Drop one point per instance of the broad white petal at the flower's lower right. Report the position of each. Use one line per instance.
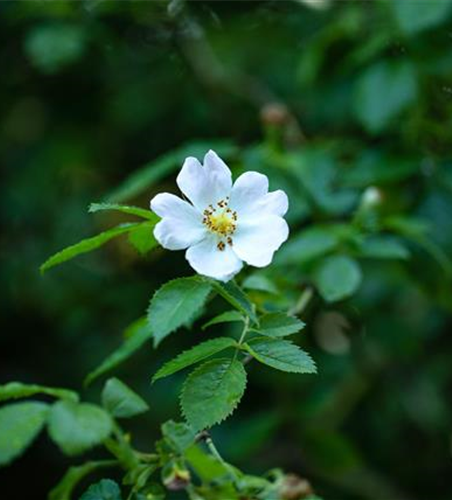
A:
(256, 242)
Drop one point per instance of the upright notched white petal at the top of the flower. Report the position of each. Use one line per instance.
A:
(205, 185)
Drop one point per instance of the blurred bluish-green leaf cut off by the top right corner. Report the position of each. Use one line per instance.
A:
(414, 17)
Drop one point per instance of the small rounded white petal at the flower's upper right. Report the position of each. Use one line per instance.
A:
(247, 189)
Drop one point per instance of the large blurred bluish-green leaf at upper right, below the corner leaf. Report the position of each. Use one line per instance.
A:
(383, 92)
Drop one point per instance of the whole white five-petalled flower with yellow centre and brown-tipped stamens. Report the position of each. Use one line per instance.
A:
(224, 225)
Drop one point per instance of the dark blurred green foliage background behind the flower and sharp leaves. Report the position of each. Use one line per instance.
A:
(345, 104)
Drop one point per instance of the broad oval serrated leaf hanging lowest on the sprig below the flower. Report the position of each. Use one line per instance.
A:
(212, 392)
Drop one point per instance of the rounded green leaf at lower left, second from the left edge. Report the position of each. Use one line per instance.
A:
(76, 428)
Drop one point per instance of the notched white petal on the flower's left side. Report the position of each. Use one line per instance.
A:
(181, 225)
